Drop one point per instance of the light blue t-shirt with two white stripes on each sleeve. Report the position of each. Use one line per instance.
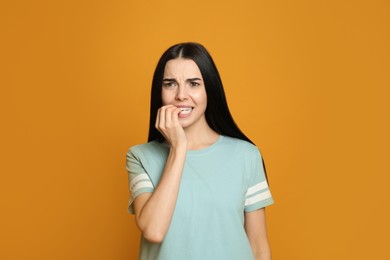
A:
(219, 183)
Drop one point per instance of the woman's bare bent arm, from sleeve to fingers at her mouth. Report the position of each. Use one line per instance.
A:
(154, 211)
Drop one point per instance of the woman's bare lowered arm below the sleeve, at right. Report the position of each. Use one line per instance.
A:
(256, 230)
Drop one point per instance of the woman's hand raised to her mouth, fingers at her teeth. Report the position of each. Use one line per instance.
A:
(167, 123)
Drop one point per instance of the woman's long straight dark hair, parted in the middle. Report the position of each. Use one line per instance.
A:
(217, 112)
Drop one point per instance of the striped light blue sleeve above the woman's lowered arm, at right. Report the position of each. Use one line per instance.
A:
(258, 194)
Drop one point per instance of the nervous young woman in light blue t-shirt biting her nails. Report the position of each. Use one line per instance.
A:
(198, 187)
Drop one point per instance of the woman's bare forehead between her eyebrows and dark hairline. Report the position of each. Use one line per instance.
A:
(180, 67)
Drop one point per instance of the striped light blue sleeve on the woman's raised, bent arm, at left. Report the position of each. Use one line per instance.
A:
(139, 181)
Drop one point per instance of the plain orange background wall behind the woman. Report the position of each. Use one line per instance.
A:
(307, 81)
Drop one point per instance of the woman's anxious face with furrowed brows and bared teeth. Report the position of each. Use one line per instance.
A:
(184, 88)
